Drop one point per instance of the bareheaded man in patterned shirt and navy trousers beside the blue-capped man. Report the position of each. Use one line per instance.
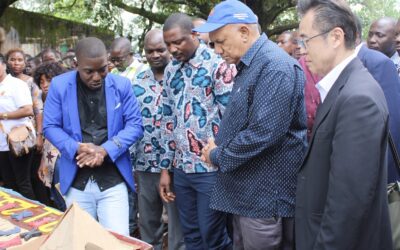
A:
(197, 86)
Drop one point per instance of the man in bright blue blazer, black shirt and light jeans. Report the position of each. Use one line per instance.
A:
(93, 118)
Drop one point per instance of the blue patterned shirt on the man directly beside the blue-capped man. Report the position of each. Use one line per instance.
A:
(194, 99)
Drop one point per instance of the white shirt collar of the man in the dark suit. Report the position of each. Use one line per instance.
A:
(326, 83)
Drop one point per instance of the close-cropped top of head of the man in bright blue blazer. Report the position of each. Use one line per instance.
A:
(90, 47)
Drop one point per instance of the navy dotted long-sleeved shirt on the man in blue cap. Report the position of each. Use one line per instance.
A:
(262, 137)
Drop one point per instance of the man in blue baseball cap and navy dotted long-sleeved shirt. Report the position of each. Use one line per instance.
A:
(262, 135)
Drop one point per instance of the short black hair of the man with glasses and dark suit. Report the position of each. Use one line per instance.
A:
(330, 14)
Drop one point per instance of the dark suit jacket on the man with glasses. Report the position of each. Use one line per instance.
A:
(341, 200)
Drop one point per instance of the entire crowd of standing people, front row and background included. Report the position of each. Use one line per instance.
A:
(219, 136)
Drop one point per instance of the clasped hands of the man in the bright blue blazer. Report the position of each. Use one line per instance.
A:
(90, 155)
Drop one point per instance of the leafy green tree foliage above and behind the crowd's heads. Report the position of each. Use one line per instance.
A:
(275, 16)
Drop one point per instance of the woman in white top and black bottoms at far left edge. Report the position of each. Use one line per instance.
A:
(15, 110)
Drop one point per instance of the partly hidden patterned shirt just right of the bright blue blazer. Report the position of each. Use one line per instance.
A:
(147, 151)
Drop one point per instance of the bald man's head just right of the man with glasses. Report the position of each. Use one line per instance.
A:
(381, 36)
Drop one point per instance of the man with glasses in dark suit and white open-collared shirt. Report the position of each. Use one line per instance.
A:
(341, 187)
